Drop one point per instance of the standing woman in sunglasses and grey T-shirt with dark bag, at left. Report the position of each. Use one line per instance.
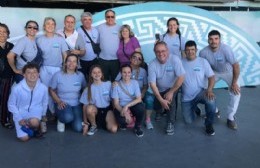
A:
(25, 50)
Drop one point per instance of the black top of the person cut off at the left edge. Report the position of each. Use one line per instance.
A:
(8, 72)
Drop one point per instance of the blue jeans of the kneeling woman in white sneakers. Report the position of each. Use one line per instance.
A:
(70, 114)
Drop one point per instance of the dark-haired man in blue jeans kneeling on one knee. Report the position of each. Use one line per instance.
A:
(197, 87)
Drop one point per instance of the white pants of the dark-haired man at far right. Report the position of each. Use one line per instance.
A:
(233, 98)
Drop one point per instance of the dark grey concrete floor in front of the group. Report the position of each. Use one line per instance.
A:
(188, 147)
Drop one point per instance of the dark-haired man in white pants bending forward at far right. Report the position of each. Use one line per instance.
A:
(226, 67)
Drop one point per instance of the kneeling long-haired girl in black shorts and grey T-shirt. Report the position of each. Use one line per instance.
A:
(97, 107)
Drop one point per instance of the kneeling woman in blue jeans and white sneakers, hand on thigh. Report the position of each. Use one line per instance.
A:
(65, 89)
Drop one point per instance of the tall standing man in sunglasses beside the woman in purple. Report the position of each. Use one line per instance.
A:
(109, 42)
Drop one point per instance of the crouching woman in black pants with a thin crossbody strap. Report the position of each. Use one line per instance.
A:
(127, 97)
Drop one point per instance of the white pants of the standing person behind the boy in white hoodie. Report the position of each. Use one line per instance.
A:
(46, 73)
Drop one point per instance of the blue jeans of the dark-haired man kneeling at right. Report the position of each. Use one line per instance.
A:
(188, 108)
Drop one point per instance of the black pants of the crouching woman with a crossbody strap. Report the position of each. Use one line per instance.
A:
(137, 111)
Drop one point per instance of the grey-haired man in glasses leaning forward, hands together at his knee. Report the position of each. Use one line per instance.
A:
(166, 75)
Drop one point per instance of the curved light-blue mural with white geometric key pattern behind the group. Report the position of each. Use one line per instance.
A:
(150, 18)
